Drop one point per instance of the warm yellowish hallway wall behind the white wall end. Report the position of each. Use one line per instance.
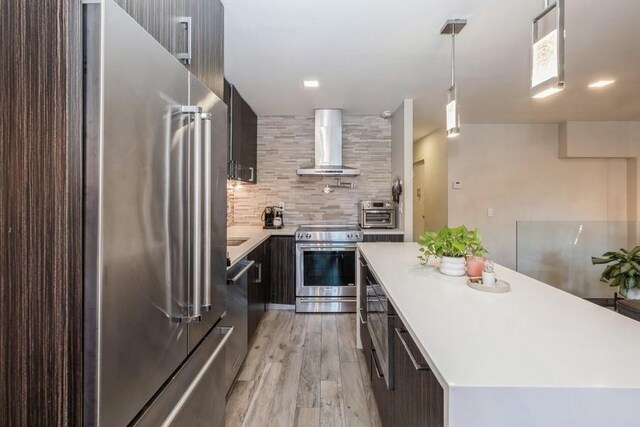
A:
(433, 149)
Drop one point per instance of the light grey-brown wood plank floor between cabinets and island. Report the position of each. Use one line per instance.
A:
(303, 370)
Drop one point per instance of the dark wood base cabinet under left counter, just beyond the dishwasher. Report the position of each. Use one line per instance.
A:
(258, 286)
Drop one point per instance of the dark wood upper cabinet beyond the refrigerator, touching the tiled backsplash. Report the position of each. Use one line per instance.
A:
(243, 138)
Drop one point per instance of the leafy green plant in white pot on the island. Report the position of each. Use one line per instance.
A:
(452, 245)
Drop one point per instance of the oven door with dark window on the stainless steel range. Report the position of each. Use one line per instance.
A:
(325, 270)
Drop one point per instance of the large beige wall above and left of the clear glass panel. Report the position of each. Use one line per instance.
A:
(515, 170)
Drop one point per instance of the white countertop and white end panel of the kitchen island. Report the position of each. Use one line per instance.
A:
(536, 356)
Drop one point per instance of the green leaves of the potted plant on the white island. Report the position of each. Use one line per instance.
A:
(450, 242)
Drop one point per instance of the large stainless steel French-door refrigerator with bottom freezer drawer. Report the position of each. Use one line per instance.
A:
(155, 232)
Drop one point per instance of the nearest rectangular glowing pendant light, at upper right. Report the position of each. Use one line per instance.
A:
(547, 52)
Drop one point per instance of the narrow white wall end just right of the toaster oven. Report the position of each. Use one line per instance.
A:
(402, 163)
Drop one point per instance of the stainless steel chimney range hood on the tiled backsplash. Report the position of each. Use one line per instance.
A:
(328, 146)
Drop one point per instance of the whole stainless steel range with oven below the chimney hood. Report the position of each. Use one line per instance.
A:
(326, 268)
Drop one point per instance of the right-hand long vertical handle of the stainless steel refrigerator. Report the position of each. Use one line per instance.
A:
(207, 141)
